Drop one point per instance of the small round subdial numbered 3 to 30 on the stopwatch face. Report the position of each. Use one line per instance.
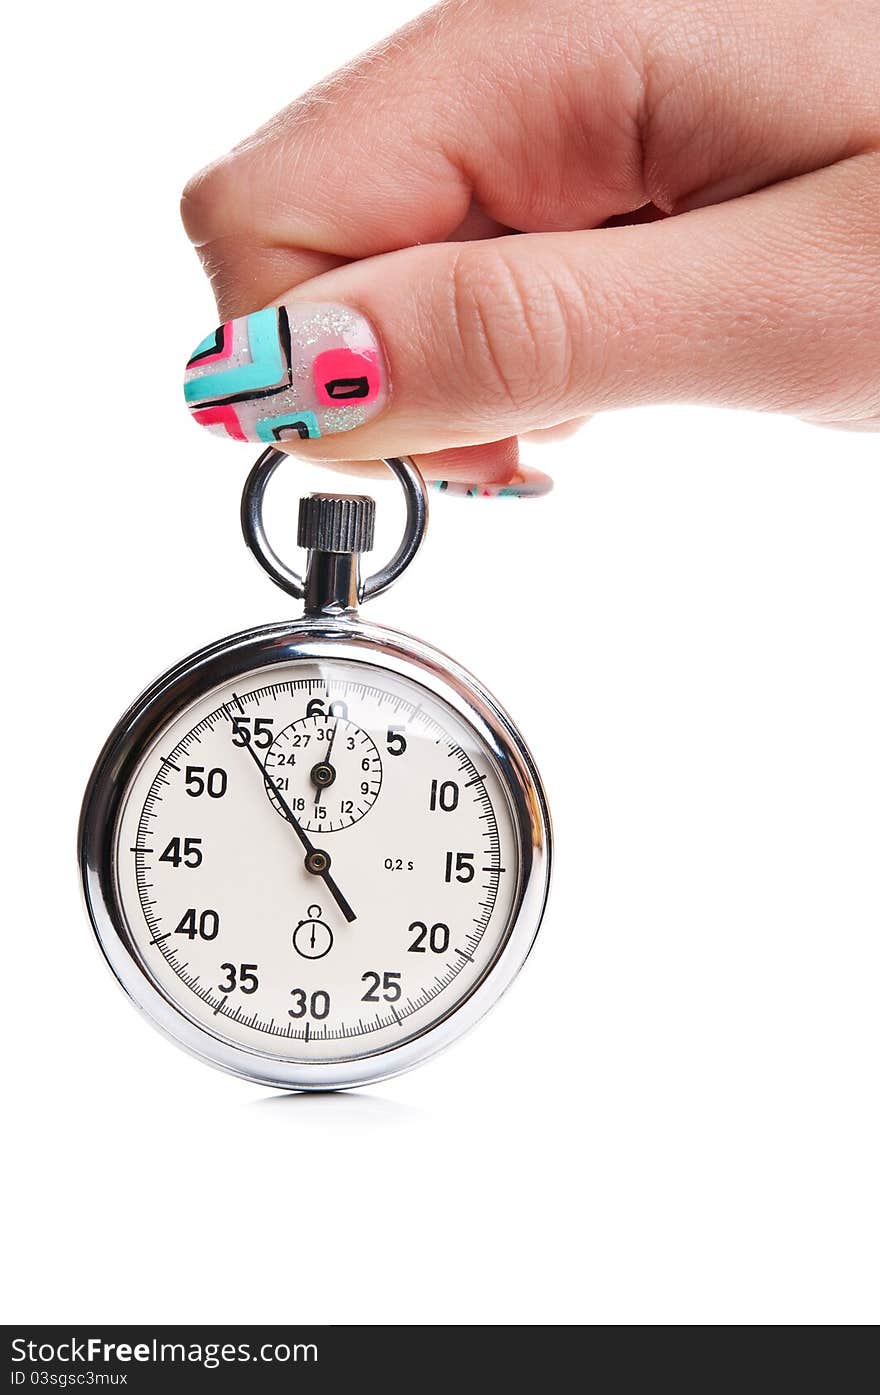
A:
(327, 769)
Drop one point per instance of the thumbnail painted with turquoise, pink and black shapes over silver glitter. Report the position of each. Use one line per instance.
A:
(288, 373)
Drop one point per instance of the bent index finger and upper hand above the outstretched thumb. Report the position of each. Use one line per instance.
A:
(553, 115)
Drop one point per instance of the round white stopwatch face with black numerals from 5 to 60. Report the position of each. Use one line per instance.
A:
(319, 861)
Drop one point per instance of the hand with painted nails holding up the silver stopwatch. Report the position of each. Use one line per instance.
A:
(699, 185)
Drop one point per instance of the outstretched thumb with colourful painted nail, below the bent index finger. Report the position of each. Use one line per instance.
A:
(490, 340)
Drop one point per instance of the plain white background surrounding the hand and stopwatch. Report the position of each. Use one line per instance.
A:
(673, 1117)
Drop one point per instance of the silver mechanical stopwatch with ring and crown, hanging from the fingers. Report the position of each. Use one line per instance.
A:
(316, 853)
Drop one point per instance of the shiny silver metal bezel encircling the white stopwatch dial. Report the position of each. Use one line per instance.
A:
(261, 649)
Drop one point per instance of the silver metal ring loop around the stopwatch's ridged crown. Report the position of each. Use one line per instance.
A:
(405, 471)
